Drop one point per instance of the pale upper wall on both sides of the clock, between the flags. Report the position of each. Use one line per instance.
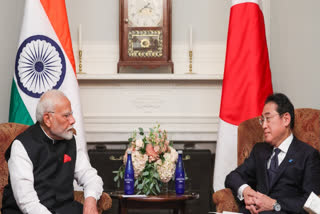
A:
(100, 19)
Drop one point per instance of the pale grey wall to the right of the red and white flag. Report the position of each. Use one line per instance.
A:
(295, 45)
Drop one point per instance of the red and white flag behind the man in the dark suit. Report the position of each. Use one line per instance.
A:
(246, 81)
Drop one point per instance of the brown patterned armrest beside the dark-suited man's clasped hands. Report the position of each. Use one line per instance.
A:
(224, 201)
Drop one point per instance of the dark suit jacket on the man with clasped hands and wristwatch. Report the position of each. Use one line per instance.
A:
(298, 175)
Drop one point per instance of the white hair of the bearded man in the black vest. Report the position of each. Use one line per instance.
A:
(47, 103)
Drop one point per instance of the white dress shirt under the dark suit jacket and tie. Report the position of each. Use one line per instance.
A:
(284, 146)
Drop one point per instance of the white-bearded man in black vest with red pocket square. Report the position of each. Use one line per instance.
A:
(44, 161)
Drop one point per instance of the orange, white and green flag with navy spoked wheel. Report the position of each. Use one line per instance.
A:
(44, 61)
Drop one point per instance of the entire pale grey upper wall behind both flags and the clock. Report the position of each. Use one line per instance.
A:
(294, 30)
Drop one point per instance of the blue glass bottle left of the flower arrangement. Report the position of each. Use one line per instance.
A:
(129, 176)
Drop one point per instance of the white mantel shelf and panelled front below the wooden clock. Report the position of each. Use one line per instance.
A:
(188, 110)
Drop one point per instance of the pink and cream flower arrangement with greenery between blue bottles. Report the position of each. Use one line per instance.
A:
(153, 158)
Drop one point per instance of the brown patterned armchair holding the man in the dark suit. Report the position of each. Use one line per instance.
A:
(307, 129)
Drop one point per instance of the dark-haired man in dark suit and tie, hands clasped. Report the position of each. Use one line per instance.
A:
(280, 173)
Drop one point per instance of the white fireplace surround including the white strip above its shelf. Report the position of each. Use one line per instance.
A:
(186, 105)
